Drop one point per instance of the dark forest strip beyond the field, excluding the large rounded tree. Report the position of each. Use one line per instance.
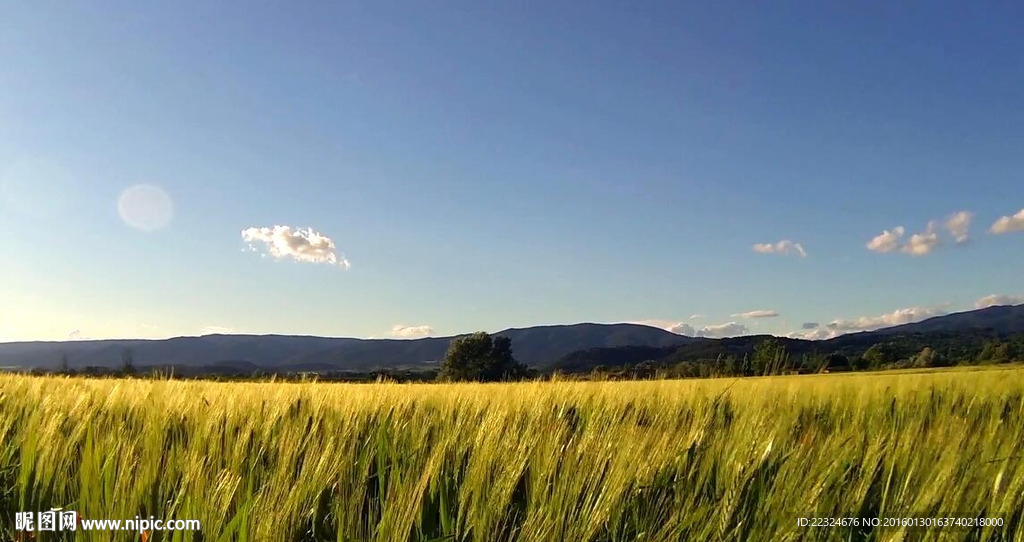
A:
(749, 356)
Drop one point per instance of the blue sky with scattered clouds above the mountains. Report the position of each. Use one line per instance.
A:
(402, 170)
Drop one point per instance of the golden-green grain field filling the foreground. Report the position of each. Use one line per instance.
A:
(569, 462)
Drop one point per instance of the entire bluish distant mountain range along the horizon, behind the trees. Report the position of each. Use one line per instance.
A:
(541, 347)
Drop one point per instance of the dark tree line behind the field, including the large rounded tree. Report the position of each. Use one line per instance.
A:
(486, 358)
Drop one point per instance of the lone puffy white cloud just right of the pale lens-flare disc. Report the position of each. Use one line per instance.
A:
(283, 242)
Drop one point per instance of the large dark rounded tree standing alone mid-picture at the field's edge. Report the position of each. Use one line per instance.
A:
(483, 358)
